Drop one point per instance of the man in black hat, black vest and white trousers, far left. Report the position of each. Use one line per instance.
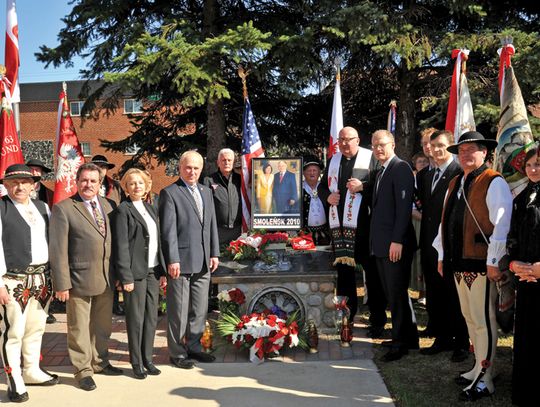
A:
(25, 285)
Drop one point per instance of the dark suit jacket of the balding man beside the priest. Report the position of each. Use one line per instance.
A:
(392, 204)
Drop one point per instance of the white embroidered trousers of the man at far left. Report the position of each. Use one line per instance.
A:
(22, 331)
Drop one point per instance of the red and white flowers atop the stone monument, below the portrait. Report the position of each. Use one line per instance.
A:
(249, 247)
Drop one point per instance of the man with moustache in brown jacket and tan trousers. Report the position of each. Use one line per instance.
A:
(79, 251)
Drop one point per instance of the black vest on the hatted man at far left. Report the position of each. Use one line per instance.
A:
(17, 241)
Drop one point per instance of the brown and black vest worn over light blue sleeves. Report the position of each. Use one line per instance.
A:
(464, 246)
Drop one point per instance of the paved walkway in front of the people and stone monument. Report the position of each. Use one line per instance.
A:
(334, 376)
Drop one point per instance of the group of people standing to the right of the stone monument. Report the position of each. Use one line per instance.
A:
(469, 236)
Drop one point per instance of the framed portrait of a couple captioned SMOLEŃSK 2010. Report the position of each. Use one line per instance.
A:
(276, 199)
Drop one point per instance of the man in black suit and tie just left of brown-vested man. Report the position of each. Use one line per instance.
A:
(446, 321)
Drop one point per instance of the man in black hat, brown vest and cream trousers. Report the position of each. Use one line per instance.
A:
(471, 241)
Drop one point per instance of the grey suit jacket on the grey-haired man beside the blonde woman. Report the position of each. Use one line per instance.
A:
(184, 238)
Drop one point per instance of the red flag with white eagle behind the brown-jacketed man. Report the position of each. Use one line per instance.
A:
(69, 156)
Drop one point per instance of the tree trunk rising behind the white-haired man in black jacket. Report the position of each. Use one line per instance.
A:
(215, 115)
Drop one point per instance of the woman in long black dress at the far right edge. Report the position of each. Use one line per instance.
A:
(523, 247)
